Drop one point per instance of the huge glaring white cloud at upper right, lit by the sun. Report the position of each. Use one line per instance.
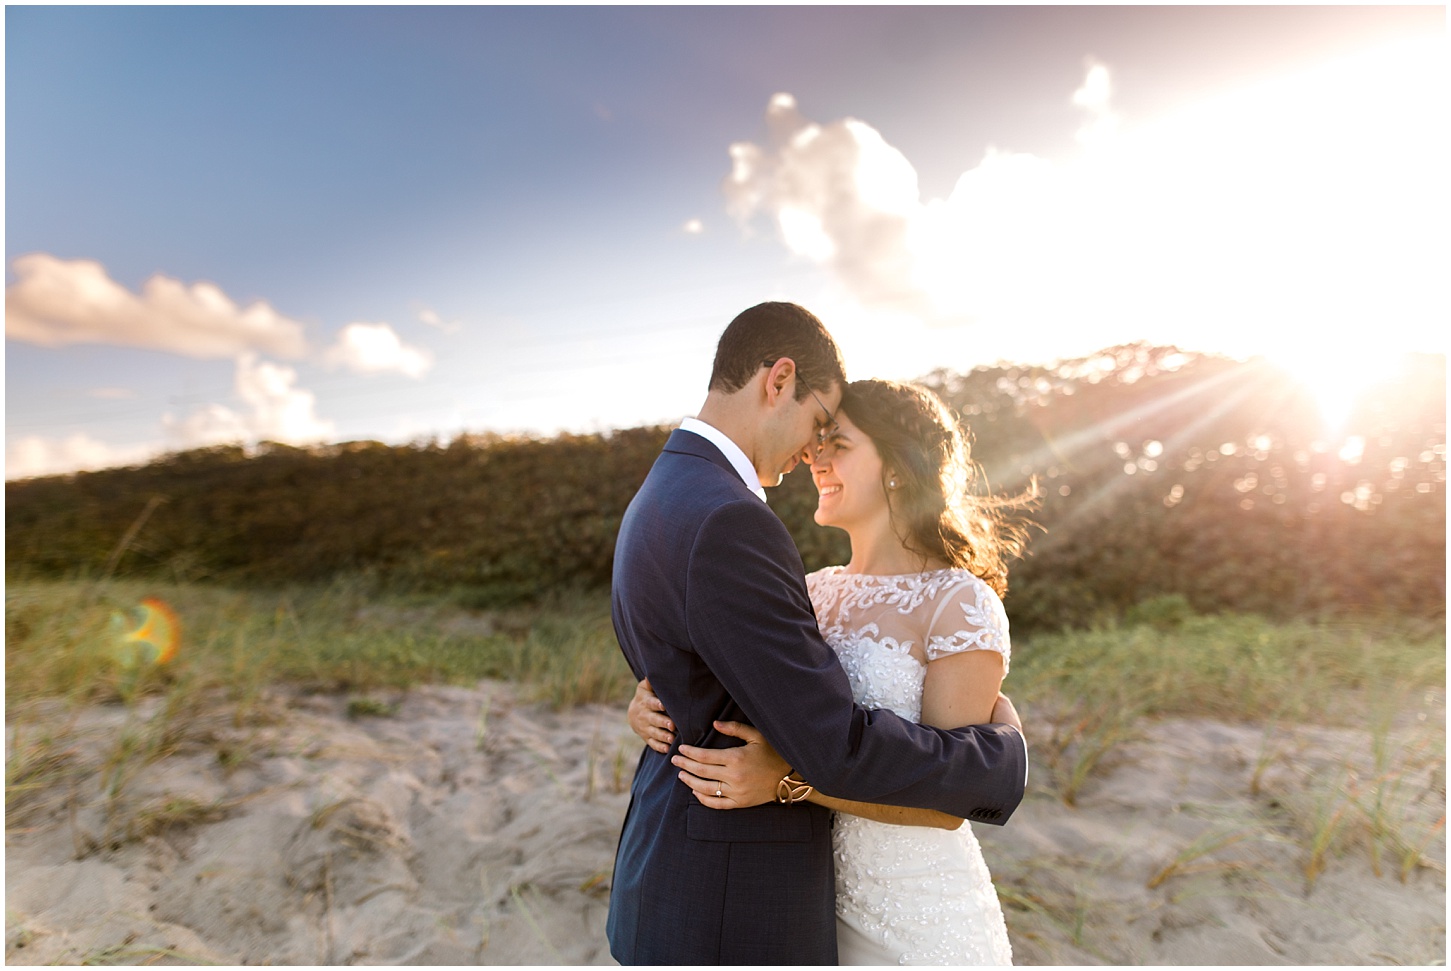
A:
(1233, 224)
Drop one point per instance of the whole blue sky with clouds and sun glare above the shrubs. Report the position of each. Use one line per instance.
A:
(310, 224)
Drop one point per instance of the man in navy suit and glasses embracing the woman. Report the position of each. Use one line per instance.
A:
(712, 606)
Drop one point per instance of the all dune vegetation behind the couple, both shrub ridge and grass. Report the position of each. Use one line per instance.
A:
(1204, 551)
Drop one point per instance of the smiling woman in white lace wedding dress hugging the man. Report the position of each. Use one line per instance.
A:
(918, 623)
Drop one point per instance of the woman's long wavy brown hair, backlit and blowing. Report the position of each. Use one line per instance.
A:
(934, 504)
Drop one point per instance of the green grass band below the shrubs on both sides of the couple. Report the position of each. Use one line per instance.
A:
(1086, 692)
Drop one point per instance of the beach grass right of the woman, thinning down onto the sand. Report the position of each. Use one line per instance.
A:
(1089, 693)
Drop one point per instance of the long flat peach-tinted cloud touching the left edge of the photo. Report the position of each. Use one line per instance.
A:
(57, 303)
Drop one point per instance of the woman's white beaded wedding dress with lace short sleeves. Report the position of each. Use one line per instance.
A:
(909, 895)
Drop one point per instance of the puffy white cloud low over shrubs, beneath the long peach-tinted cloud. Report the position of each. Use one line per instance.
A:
(276, 411)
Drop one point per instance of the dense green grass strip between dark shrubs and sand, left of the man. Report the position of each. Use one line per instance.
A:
(63, 644)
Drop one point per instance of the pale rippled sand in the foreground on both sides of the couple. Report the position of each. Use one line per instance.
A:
(469, 829)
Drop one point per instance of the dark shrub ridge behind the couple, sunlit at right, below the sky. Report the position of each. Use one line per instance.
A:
(1162, 472)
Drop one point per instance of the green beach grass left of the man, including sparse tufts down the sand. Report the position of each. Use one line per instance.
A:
(66, 650)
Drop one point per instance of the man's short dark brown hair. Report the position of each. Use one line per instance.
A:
(765, 335)
